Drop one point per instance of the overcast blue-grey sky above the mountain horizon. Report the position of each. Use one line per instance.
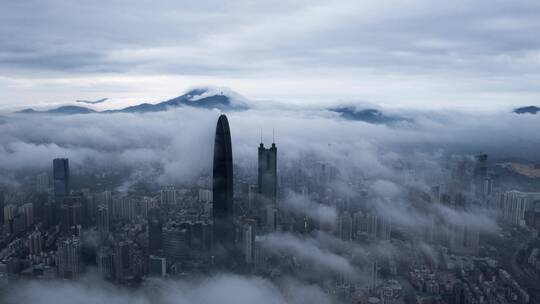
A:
(435, 54)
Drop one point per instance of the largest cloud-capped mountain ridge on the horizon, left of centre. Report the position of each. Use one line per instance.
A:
(198, 98)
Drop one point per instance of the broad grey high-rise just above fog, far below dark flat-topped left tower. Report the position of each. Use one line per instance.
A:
(68, 258)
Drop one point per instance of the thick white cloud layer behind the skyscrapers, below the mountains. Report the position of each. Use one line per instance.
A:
(179, 142)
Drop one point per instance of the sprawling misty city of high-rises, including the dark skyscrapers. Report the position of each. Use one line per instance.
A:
(474, 238)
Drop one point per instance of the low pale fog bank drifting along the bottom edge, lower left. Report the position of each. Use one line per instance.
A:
(220, 288)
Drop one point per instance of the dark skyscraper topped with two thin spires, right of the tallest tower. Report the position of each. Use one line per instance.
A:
(267, 177)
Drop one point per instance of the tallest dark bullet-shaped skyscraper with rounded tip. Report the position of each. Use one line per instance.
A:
(222, 187)
